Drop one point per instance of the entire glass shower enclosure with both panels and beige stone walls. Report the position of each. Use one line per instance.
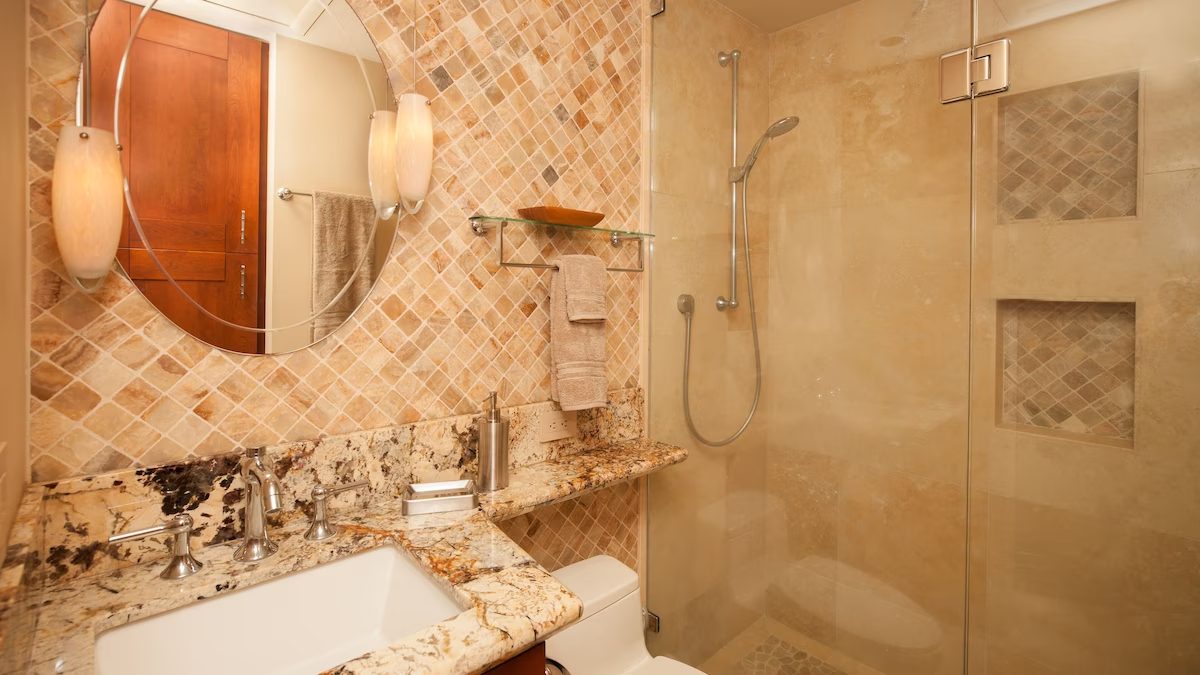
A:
(977, 447)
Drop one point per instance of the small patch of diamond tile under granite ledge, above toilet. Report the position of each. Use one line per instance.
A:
(603, 523)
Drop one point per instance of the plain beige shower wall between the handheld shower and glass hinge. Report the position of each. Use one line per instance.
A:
(868, 361)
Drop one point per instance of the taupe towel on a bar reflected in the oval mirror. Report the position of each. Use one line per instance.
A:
(341, 236)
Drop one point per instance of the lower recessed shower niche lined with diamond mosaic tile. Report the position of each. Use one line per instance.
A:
(1067, 369)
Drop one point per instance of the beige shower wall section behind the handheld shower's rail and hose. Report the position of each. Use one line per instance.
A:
(707, 534)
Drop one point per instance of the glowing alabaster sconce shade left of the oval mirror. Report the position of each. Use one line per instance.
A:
(88, 204)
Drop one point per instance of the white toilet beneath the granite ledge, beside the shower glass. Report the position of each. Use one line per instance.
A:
(609, 638)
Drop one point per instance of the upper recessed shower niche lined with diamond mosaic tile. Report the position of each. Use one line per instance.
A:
(1071, 152)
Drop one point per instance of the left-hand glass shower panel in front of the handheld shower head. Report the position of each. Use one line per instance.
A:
(832, 536)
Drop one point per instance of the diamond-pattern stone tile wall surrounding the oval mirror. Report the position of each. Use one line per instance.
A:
(536, 103)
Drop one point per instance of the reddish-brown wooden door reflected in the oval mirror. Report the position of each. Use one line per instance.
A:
(193, 129)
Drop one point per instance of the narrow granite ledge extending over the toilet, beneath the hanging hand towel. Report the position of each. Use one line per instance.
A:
(568, 477)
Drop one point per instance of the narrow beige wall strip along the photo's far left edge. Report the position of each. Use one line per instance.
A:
(14, 262)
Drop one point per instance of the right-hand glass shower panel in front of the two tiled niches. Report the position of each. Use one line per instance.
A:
(1085, 445)
